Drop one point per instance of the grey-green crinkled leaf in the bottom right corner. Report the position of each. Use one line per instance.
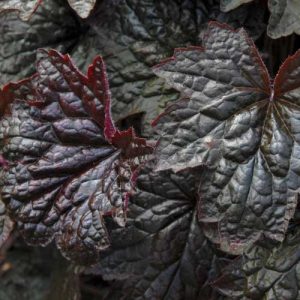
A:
(265, 271)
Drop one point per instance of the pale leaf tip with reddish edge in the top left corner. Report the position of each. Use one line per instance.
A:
(25, 8)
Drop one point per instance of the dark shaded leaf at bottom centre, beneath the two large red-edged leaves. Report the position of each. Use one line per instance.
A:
(162, 253)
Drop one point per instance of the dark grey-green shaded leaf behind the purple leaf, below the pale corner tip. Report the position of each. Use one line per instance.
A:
(52, 25)
